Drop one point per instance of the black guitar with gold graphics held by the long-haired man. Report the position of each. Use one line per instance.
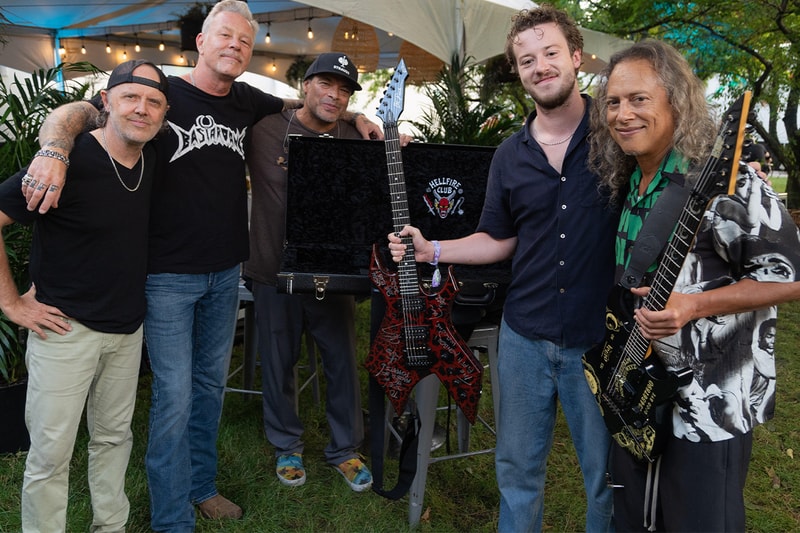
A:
(630, 384)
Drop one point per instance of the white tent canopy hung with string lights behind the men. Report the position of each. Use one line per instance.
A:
(473, 28)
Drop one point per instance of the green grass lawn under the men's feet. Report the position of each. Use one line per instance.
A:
(461, 494)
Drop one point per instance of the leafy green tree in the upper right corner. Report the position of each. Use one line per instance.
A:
(747, 44)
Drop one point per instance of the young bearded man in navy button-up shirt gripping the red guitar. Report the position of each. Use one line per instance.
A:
(544, 210)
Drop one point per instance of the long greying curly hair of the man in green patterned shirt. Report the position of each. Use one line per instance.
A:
(694, 128)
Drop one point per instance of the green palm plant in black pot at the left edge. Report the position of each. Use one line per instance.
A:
(24, 104)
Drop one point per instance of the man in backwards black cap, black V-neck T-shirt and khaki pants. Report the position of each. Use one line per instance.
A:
(85, 309)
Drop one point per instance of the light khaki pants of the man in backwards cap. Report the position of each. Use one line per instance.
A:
(100, 370)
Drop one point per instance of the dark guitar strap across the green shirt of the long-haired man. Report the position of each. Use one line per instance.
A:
(656, 230)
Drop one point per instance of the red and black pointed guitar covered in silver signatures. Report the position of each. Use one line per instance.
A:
(416, 336)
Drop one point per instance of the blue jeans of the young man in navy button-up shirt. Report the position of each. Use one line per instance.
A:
(534, 374)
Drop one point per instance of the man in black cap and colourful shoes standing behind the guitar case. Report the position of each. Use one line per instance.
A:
(328, 85)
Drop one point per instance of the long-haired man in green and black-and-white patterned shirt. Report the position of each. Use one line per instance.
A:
(651, 126)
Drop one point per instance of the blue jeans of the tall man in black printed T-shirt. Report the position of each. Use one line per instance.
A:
(189, 333)
